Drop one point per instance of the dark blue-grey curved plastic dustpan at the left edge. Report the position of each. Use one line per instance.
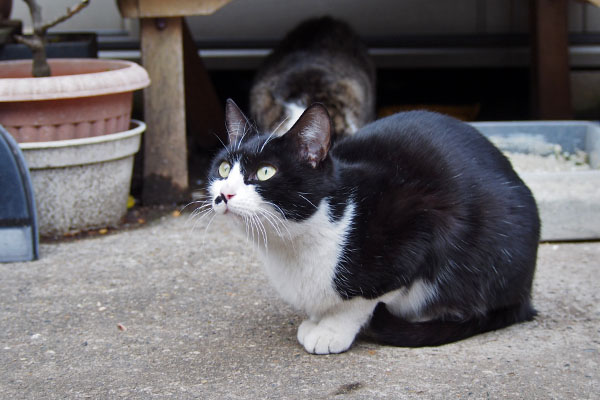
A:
(18, 221)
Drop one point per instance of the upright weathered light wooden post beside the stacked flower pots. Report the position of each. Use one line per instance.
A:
(165, 154)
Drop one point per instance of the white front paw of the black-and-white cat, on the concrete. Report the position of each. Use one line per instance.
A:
(323, 338)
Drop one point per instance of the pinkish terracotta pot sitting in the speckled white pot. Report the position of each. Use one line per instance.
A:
(82, 98)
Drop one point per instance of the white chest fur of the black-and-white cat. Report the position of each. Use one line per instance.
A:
(302, 265)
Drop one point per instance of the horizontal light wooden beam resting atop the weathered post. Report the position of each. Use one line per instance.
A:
(168, 8)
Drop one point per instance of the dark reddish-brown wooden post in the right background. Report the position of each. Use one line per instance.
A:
(550, 83)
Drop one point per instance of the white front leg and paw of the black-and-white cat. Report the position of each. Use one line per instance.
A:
(335, 331)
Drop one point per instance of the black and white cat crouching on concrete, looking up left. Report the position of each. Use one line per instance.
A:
(416, 229)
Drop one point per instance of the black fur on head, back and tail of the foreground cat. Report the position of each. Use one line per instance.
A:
(434, 200)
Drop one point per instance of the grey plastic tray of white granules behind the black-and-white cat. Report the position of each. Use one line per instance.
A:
(568, 201)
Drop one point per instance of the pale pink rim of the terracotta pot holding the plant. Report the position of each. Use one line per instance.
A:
(119, 76)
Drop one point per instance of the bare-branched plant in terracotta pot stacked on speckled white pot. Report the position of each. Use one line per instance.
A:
(57, 117)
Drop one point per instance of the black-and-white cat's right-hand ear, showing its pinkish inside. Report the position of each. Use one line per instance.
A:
(312, 134)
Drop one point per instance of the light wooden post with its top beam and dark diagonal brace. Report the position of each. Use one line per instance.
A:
(163, 55)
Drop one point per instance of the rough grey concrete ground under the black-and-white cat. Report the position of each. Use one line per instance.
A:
(176, 311)
